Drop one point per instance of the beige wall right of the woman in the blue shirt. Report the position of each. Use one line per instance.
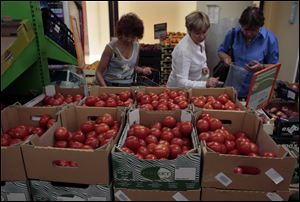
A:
(277, 20)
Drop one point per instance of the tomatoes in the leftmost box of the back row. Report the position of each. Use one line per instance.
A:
(59, 99)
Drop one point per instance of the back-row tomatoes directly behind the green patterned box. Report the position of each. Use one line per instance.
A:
(167, 100)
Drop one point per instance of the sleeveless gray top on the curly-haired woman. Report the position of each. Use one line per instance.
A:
(120, 69)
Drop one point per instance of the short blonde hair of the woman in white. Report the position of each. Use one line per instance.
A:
(197, 21)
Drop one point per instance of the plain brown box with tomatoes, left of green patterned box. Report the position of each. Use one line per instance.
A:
(77, 150)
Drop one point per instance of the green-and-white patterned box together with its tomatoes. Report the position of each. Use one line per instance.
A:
(157, 150)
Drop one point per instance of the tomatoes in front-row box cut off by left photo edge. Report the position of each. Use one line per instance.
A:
(21, 132)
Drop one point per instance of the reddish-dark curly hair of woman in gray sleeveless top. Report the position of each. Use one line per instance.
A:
(130, 25)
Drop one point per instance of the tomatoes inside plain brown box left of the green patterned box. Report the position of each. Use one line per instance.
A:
(91, 135)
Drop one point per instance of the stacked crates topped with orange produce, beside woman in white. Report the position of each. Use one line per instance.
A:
(167, 46)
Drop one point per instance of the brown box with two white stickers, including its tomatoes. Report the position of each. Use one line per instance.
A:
(238, 154)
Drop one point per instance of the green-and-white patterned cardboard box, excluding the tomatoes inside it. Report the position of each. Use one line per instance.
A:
(181, 173)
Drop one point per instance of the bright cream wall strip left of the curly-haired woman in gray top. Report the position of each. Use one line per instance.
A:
(98, 29)
